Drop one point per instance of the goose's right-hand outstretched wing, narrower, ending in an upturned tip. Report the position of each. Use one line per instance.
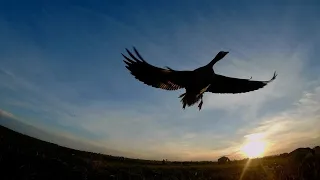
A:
(223, 84)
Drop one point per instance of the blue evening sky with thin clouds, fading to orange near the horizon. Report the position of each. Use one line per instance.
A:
(62, 73)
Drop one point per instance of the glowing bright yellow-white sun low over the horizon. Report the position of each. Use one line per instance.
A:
(254, 149)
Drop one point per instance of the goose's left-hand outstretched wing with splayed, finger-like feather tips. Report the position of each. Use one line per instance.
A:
(167, 79)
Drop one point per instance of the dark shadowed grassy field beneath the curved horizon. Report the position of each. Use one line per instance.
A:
(23, 157)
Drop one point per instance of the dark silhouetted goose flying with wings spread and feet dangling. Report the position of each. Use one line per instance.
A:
(195, 82)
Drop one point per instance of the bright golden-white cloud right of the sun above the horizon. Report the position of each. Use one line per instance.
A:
(294, 127)
